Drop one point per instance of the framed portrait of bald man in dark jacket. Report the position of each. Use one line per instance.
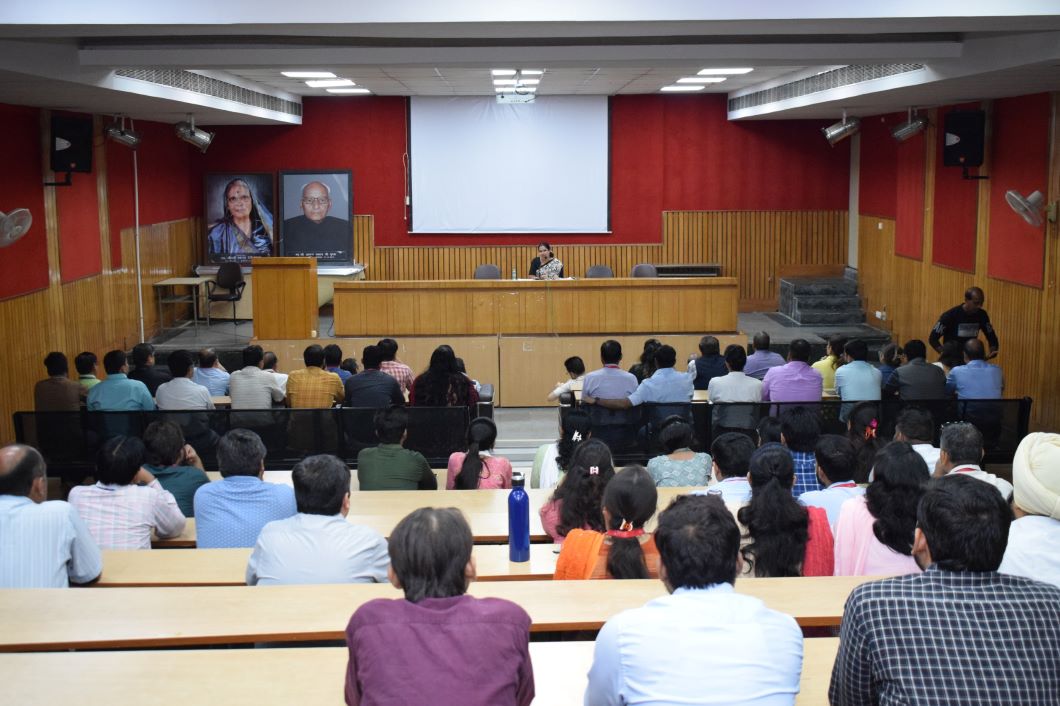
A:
(317, 209)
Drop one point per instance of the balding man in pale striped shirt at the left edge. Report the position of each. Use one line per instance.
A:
(44, 544)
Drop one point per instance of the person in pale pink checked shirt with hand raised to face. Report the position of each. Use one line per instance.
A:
(127, 503)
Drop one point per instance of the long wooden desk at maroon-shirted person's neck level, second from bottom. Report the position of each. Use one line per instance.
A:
(130, 619)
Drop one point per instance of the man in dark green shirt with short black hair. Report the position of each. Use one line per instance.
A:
(391, 466)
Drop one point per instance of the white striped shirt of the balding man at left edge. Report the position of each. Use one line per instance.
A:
(45, 545)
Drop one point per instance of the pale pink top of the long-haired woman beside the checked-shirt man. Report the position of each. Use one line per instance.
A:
(858, 553)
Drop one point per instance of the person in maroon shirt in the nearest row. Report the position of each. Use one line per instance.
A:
(437, 646)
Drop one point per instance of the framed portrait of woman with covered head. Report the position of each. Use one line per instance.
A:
(239, 213)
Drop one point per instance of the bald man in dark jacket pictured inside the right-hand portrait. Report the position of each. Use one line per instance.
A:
(315, 234)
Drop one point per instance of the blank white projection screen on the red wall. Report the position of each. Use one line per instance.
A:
(480, 167)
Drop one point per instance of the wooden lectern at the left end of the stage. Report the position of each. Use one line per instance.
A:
(286, 298)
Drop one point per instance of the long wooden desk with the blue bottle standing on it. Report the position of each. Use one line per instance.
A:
(227, 568)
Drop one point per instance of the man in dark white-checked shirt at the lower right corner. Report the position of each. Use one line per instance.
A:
(960, 633)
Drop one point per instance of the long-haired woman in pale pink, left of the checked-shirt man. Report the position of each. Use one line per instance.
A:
(874, 536)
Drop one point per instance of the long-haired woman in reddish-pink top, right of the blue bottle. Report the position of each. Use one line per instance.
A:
(577, 502)
